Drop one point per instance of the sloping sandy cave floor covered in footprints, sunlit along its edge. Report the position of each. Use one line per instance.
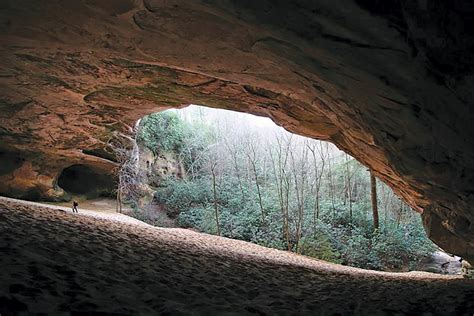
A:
(54, 261)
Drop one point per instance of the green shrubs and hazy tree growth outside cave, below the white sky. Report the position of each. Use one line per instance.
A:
(337, 235)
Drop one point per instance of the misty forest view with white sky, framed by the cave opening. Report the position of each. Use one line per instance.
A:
(245, 178)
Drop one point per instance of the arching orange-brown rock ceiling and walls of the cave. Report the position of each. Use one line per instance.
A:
(390, 82)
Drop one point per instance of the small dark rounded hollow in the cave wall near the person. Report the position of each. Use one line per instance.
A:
(86, 181)
